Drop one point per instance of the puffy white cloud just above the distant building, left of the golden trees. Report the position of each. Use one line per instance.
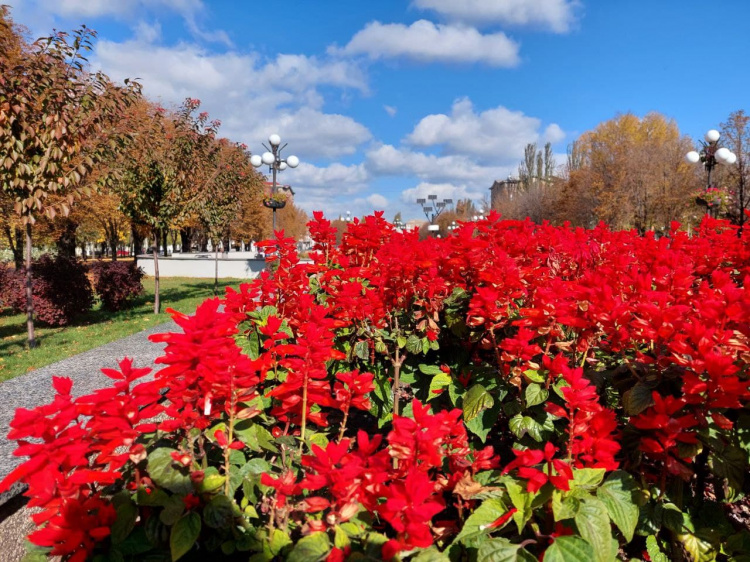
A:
(497, 135)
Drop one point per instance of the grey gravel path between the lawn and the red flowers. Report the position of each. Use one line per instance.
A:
(35, 388)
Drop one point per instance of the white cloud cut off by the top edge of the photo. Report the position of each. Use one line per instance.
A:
(556, 15)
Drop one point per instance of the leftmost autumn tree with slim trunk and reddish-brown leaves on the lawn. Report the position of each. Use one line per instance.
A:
(56, 123)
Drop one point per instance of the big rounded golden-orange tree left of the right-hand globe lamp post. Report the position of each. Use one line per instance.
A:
(629, 172)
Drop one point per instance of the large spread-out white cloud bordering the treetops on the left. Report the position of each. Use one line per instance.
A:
(253, 97)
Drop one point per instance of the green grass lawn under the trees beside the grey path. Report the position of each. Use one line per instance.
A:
(98, 326)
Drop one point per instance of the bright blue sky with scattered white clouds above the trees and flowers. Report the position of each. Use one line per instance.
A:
(385, 101)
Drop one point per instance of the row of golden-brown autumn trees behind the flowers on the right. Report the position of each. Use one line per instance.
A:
(631, 173)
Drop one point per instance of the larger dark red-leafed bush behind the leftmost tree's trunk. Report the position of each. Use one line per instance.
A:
(60, 287)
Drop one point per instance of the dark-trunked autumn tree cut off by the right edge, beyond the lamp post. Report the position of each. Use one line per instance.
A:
(736, 137)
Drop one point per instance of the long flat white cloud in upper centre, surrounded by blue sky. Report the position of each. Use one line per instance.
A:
(425, 41)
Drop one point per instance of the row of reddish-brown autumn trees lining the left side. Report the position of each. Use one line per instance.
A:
(81, 156)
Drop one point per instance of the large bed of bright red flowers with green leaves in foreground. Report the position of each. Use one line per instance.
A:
(511, 392)
